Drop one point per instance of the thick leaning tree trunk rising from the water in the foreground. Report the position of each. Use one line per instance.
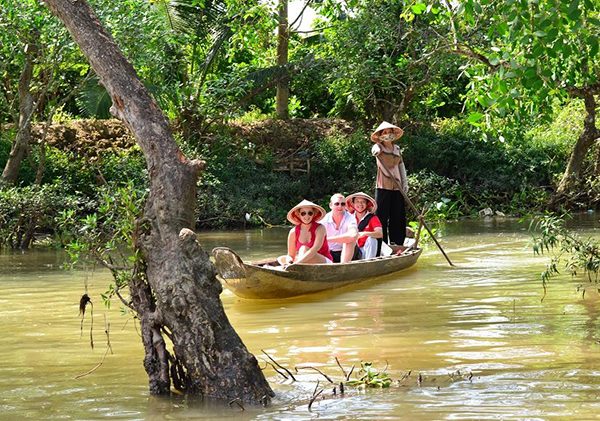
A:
(176, 293)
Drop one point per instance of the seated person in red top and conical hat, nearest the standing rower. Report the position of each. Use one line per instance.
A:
(370, 231)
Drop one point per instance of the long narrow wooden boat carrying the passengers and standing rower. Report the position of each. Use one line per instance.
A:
(265, 279)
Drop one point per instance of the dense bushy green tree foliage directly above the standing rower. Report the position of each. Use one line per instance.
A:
(382, 63)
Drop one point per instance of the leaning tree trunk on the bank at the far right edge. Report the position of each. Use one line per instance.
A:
(582, 147)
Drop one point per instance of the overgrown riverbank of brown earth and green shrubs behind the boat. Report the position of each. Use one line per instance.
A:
(256, 171)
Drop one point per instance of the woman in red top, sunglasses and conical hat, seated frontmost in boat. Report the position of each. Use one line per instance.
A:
(307, 241)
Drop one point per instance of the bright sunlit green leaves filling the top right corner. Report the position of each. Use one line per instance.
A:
(525, 55)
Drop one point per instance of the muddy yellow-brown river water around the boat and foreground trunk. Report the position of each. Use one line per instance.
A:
(478, 335)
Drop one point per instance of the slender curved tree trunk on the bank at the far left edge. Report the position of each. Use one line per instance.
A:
(23, 137)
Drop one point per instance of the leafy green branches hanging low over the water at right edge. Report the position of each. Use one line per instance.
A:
(575, 253)
